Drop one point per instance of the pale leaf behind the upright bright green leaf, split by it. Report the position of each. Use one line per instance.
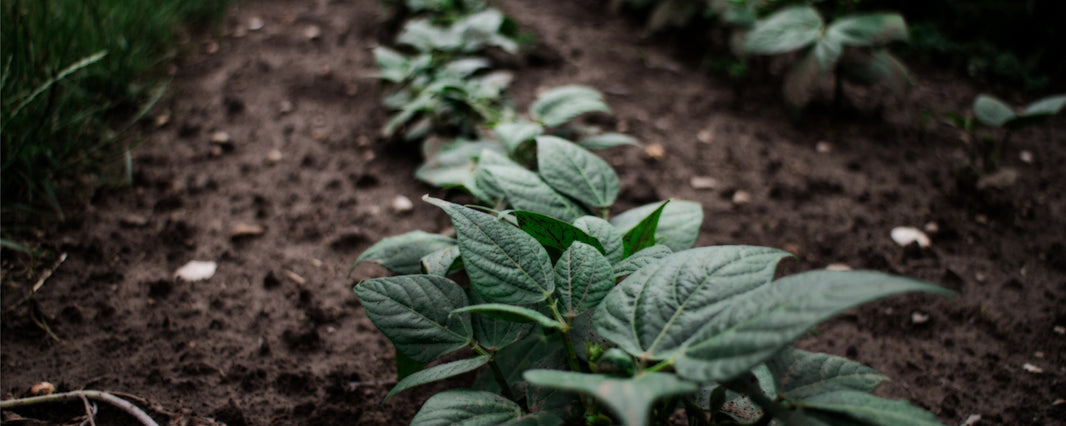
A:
(679, 224)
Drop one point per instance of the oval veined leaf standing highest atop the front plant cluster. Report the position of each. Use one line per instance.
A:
(576, 172)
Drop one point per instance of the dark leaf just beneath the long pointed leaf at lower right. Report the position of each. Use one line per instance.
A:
(800, 374)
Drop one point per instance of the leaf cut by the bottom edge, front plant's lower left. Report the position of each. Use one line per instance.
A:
(465, 407)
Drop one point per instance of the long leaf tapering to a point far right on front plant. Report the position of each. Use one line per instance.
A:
(762, 322)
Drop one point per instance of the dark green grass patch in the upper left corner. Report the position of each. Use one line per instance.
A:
(75, 76)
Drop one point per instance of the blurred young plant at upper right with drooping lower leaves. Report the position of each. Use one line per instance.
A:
(852, 48)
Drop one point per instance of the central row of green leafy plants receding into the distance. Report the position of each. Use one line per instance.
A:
(569, 315)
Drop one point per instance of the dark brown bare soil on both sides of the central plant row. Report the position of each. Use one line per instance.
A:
(277, 336)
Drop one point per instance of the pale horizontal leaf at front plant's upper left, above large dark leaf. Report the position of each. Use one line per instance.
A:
(403, 254)
